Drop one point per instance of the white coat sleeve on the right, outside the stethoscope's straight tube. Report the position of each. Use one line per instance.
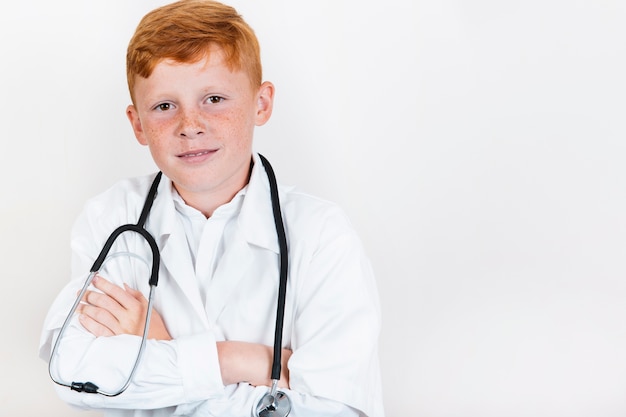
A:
(337, 323)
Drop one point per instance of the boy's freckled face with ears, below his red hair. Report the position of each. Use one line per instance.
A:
(198, 121)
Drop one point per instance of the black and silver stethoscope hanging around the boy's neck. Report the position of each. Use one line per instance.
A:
(274, 402)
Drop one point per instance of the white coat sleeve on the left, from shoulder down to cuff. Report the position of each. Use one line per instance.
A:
(181, 371)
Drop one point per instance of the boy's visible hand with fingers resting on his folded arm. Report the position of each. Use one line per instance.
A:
(117, 311)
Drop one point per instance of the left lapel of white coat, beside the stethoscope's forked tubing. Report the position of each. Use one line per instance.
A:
(175, 256)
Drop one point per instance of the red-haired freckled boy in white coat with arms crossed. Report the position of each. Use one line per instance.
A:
(195, 81)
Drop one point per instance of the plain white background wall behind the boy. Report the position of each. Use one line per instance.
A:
(478, 147)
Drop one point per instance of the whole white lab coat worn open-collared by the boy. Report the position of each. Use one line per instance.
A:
(332, 316)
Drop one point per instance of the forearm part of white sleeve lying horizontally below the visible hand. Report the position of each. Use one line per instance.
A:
(171, 373)
